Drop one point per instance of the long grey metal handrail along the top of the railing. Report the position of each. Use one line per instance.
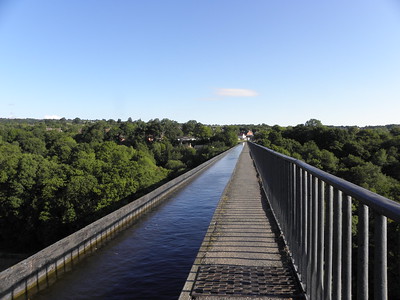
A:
(378, 203)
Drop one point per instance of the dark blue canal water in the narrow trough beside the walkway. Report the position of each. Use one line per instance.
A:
(152, 258)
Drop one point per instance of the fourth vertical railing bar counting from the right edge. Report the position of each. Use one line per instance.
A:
(337, 246)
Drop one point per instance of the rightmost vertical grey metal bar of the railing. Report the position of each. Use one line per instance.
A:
(380, 258)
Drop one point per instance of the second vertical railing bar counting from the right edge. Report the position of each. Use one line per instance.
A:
(363, 252)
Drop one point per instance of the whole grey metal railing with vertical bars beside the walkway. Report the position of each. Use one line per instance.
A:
(315, 211)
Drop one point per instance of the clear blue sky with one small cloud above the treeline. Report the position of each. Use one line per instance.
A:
(215, 61)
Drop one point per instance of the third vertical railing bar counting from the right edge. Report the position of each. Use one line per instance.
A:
(347, 251)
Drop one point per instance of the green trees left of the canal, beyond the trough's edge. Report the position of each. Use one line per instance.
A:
(58, 176)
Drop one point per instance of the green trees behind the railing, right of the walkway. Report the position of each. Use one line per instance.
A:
(368, 157)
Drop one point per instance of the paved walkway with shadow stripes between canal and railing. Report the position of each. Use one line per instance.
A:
(242, 256)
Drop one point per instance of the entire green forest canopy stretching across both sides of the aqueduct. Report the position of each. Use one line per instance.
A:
(57, 176)
